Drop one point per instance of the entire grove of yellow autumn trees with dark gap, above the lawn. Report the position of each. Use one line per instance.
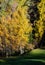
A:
(22, 25)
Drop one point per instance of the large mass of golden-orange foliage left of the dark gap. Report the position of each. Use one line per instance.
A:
(14, 26)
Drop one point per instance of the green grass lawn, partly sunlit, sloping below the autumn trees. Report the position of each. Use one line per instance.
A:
(35, 57)
